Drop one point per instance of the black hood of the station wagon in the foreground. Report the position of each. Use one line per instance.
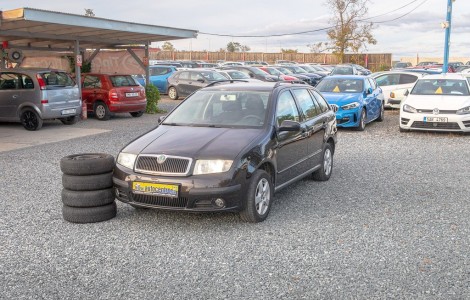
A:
(194, 142)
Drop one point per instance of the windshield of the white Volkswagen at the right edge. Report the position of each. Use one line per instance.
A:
(454, 87)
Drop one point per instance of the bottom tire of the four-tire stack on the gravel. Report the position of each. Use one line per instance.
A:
(89, 214)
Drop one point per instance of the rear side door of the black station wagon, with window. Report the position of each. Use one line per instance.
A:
(314, 124)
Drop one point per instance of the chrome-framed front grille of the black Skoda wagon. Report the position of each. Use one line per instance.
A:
(172, 165)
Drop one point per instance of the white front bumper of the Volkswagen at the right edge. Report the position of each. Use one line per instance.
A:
(415, 121)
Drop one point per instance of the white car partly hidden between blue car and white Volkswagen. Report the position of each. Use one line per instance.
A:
(395, 80)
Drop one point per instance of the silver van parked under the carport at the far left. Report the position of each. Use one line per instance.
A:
(31, 95)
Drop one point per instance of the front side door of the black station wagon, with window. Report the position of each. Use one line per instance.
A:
(292, 146)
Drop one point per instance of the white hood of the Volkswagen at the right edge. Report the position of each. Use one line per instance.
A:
(442, 102)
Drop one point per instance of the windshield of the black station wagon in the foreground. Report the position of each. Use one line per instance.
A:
(221, 109)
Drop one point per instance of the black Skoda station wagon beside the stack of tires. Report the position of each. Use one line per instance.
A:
(229, 147)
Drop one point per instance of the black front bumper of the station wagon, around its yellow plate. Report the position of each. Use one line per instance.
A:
(196, 193)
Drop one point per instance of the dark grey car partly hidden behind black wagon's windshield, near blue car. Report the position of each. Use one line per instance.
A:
(182, 83)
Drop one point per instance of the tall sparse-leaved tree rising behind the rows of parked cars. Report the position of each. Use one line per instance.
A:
(349, 32)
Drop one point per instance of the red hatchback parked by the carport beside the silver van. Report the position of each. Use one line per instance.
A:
(113, 93)
